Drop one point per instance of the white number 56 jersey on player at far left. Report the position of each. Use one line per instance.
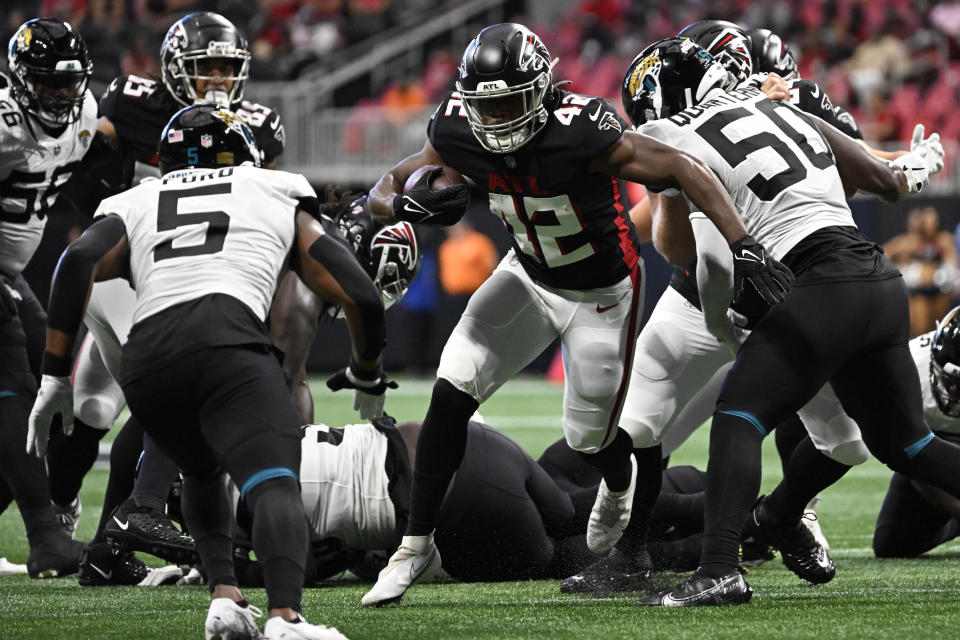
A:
(33, 168)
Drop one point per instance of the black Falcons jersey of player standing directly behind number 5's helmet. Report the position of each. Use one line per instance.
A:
(140, 108)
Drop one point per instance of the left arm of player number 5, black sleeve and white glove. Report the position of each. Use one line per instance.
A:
(101, 253)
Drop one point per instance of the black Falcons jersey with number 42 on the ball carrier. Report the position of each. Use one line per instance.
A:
(568, 226)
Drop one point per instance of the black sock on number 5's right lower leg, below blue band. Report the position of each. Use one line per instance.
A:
(280, 539)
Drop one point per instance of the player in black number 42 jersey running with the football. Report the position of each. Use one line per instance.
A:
(552, 163)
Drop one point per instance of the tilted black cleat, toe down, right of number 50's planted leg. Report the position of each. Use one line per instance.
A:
(800, 551)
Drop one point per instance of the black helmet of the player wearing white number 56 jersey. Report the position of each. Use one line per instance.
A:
(49, 70)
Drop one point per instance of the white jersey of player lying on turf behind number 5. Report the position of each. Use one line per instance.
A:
(344, 485)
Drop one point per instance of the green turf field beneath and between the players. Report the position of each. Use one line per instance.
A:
(868, 599)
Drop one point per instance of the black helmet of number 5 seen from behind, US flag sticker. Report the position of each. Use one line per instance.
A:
(205, 135)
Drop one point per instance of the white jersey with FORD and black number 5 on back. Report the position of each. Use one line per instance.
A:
(198, 232)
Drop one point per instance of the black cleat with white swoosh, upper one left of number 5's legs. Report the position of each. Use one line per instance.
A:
(151, 531)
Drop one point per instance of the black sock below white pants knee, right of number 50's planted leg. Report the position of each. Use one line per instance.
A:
(808, 472)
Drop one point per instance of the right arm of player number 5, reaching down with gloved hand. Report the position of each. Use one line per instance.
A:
(331, 270)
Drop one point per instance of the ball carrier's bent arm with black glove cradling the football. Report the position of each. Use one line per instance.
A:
(420, 204)
